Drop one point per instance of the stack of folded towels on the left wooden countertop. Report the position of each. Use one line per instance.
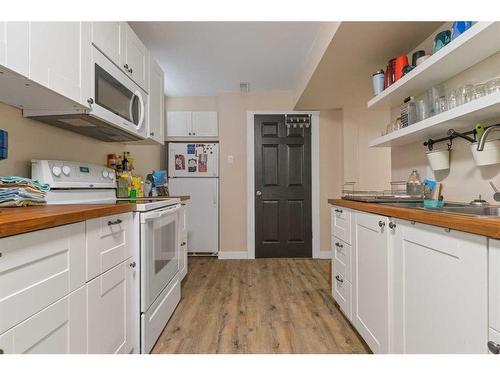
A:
(19, 191)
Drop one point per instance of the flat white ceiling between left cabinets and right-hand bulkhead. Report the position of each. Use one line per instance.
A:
(205, 58)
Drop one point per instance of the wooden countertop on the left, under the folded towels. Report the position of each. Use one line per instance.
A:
(17, 220)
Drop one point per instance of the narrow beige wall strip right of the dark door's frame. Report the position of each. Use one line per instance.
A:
(331, 168)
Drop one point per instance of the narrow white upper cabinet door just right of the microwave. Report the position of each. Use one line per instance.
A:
(156, 102)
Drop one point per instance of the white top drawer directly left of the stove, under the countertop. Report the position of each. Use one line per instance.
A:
(109, 242)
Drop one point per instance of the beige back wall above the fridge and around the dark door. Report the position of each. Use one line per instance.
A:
(232, 108)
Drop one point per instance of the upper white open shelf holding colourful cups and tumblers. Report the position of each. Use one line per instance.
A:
(476, 44)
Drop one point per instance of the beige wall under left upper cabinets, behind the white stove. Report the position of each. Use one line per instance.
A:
(30, 139)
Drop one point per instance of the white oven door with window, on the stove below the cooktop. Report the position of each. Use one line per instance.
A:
(160, 250)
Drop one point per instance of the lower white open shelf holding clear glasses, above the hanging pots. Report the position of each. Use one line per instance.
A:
(463, 117)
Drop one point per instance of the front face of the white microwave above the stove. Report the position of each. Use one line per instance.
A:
(117, 99)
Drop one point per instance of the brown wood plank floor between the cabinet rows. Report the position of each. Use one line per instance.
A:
(258, 306)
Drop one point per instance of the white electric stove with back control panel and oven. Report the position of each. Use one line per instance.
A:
(157, 221)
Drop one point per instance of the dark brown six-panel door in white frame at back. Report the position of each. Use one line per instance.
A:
(282, 188)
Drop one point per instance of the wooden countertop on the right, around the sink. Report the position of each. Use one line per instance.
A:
(485, 226)
